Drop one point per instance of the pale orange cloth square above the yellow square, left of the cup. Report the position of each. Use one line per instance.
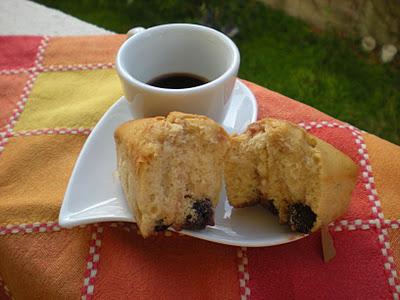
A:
(82, 49)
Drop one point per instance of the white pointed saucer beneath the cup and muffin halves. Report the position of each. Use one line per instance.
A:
(94, 193)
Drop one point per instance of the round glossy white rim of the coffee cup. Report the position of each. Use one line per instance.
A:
(231, 70)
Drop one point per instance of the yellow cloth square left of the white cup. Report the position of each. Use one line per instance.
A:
(70, 99)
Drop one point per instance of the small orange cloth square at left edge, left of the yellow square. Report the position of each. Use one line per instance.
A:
(11, 87)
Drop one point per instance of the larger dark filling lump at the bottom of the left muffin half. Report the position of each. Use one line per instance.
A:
(201, 215)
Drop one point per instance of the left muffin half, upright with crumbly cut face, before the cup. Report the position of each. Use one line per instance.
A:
(171, 170)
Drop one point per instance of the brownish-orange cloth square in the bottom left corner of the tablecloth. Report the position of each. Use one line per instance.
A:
(45, 265)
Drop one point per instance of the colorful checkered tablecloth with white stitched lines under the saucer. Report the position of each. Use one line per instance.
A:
(53, 90)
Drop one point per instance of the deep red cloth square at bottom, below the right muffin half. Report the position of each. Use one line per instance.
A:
(297, 271)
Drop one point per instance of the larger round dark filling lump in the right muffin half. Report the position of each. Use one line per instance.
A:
(301, 218)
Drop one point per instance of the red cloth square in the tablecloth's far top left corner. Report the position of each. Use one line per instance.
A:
(18, 51)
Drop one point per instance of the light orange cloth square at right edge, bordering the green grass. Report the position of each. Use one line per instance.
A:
(385, 162)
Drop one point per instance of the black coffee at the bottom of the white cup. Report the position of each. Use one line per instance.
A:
(177, 81)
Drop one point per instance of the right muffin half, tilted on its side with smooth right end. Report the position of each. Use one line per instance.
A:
(303, 179)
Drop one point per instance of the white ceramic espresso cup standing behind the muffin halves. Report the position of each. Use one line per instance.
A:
(175, 49)
